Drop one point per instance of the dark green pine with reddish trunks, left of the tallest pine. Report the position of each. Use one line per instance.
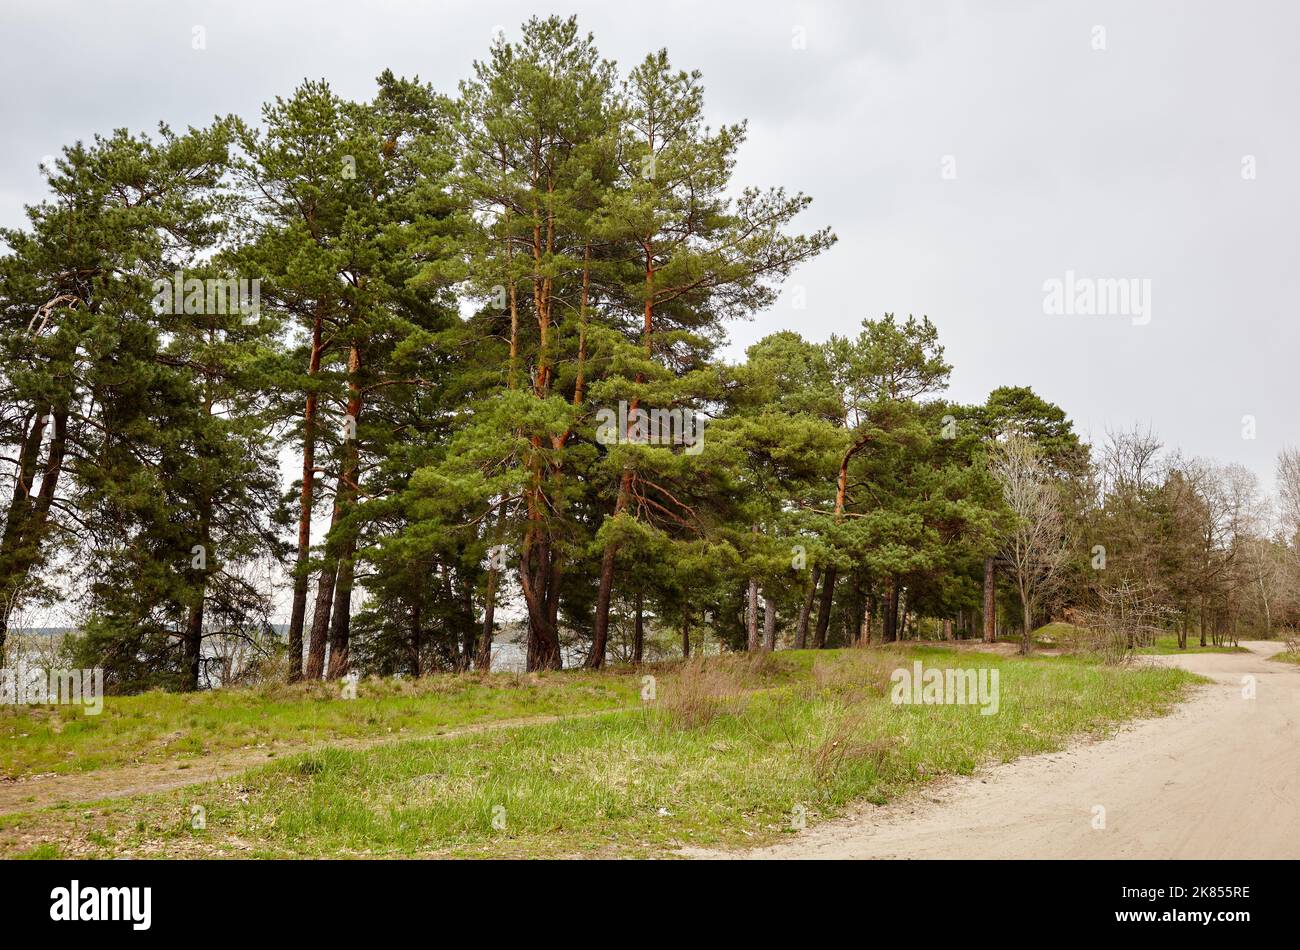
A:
(357, 235)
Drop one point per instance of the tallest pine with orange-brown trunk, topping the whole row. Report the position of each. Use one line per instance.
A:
(538, 120)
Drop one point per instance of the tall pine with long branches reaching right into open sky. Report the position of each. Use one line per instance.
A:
(695, 259)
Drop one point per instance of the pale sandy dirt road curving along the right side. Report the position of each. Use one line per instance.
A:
(1219, 778)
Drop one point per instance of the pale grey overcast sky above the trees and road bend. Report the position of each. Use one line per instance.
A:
(965, 154)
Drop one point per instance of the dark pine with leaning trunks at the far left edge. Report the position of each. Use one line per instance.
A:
(80, 331)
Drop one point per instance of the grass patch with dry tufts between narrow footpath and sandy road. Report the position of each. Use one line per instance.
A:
(729, 753)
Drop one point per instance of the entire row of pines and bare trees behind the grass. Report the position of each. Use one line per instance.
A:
(486, 331)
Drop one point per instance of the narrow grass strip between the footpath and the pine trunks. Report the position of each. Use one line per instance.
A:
(168, 727)
